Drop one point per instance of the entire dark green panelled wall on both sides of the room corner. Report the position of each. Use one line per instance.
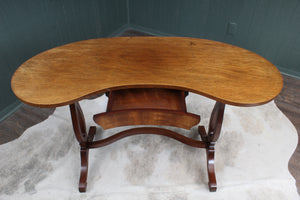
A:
(270, 28)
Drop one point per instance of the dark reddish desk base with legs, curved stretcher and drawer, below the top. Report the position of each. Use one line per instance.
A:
(147, 107)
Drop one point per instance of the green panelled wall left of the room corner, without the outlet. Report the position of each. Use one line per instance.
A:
(28, 27)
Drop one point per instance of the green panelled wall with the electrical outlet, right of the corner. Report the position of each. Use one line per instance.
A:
(270, 28)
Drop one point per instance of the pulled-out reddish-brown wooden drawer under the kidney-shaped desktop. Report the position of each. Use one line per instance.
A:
(146, 107)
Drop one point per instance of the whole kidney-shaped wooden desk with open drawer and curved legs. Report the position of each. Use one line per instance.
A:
(146, 80)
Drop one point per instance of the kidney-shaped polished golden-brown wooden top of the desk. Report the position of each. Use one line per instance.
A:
(223, 72)
